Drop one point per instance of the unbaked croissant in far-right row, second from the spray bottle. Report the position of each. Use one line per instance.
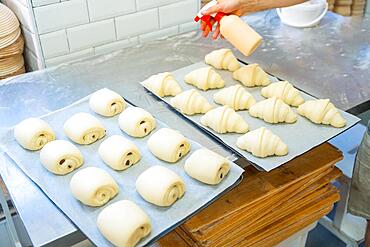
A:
(251, 75)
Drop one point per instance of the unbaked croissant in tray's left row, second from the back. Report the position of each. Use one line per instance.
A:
(191, 102)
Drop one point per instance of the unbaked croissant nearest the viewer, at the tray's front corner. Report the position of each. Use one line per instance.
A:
(262, 143)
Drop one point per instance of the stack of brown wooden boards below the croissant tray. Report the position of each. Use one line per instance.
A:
(266, 208)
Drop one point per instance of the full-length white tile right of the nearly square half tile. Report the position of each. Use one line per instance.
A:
(90, 35)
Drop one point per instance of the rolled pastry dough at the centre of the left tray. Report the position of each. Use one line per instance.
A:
(119, 152)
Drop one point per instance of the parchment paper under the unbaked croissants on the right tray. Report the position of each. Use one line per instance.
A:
(300, 136)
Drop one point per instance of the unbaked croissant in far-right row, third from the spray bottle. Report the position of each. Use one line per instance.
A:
(284, 91)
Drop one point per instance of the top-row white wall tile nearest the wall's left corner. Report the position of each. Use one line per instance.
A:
(54, 17)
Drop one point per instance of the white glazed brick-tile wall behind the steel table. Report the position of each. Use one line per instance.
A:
(58, 31)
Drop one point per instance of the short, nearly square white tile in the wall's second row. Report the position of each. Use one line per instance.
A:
(54, 44)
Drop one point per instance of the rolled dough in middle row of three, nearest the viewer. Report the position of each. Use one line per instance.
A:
(160, 186)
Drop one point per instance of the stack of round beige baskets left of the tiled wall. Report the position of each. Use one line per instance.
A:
(11, 44)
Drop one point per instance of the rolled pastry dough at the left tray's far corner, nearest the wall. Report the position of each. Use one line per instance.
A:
(107, 102)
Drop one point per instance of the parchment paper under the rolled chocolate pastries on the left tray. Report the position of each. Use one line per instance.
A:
(163, 219)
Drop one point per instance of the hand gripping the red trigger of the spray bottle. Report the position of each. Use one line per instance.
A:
(232, 7)
